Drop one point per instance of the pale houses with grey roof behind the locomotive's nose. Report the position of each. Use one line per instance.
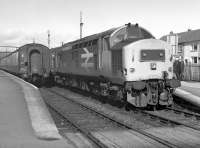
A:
(185, 45)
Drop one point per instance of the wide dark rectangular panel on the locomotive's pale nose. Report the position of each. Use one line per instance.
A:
(152, 55)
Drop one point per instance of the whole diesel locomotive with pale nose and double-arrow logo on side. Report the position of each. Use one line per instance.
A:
(125, 63)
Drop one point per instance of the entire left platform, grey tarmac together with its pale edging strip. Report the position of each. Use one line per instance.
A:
(24, 123)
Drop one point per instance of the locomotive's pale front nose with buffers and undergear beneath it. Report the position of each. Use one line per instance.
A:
(147, 69)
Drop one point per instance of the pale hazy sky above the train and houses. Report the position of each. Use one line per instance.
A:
(27, 21)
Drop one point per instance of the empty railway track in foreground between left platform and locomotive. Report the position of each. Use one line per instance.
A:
(87, 120)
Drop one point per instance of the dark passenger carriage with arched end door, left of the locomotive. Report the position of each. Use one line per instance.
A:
(31, 62)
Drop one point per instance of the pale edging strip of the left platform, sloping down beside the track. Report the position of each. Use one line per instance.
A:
(41, 121)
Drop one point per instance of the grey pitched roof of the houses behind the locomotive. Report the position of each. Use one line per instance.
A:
(188, 36)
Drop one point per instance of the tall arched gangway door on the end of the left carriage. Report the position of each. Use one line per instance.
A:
(35, 62)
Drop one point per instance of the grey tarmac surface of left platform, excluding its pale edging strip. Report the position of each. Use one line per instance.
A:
(15, 124)
